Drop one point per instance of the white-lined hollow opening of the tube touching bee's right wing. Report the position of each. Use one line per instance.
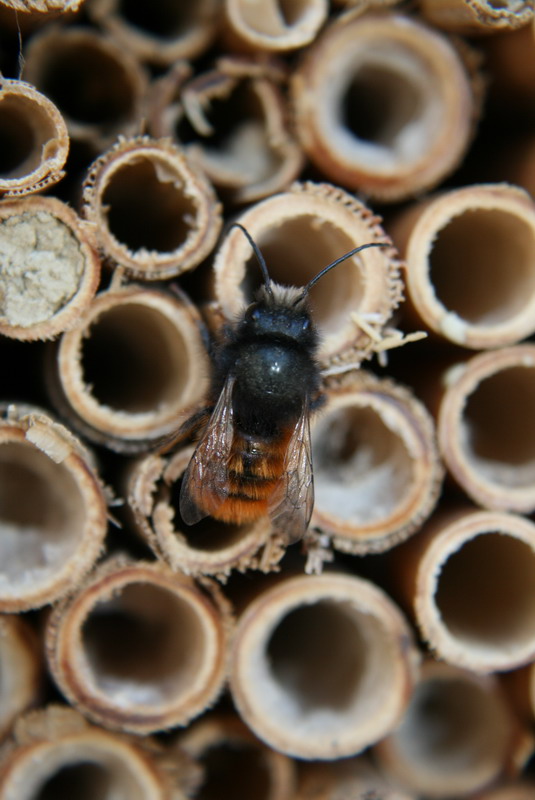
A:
(362, 468)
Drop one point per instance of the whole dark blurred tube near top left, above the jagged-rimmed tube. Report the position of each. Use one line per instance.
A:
(96, 84)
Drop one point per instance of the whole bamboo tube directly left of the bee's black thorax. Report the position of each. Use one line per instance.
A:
(133, 369)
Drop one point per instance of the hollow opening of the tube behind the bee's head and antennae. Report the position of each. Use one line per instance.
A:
(295, 251)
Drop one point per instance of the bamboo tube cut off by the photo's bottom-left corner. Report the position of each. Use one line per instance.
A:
(56, 753)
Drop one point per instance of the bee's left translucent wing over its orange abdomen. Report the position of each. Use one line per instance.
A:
(204, 485)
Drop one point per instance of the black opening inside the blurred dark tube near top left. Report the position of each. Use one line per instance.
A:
(87, 83)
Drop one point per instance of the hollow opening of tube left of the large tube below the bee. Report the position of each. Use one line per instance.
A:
(145, 645)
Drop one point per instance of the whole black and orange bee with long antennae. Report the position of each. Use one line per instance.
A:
(254, 454)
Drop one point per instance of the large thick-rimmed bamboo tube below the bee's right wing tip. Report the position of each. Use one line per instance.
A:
(321, 666)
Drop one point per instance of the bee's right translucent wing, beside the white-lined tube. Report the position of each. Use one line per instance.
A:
(292, 503)
